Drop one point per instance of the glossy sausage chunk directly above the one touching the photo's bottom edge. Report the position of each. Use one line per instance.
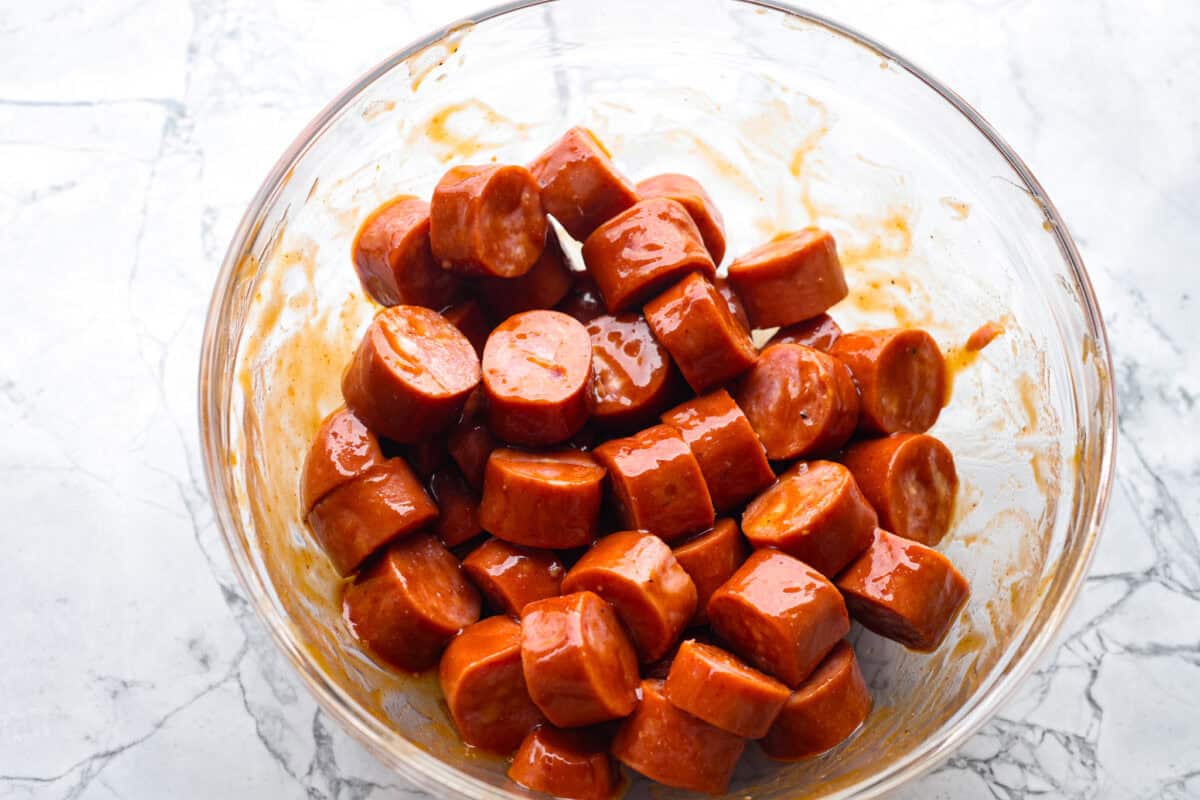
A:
(579, 664)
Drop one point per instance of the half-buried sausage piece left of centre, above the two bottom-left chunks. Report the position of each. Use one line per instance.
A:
(512, 576)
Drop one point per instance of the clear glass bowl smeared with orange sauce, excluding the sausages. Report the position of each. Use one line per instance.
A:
(789, 121)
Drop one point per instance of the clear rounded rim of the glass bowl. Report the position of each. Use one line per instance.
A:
(418, 766)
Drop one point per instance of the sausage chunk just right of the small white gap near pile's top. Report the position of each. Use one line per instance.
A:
(643, 251)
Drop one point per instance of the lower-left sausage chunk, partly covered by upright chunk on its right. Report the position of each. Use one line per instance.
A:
(484, 687)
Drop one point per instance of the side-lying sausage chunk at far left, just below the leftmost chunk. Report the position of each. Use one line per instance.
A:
(362, 516)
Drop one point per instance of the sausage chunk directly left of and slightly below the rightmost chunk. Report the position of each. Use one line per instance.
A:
(779, 615)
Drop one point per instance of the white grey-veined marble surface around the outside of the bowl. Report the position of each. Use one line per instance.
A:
(133, 135)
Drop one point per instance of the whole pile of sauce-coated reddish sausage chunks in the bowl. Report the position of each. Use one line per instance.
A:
(537, 479)
